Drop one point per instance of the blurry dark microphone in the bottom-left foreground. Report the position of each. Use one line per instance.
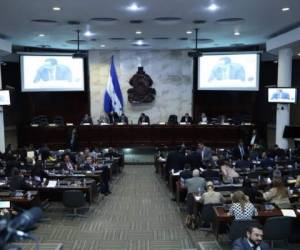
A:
(25, 220)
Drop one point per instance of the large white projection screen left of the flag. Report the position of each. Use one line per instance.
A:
(52, 73)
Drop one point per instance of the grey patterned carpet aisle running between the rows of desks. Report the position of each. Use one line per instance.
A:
(138, 215)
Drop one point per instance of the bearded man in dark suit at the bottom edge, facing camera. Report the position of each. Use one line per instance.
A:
(253, 240)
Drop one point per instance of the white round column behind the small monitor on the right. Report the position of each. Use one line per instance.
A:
(284, 79)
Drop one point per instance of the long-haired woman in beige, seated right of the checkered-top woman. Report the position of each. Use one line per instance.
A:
(278, 194)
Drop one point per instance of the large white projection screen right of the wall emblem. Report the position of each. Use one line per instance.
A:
(236, 71)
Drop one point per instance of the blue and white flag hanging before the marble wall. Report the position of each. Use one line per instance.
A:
(113, 99)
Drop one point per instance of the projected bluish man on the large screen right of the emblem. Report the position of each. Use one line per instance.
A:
(227, 70)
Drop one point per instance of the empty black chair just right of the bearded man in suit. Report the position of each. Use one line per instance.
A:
(277, 228)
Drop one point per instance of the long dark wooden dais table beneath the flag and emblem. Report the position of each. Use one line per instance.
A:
(134, 135)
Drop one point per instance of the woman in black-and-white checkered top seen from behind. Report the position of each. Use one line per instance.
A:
(242, 208)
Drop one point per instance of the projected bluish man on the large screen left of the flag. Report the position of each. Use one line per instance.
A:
(52, 71)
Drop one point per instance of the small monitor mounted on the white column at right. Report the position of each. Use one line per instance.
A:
(282, 95)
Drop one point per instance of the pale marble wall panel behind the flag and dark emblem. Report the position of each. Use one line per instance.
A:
(170, 70)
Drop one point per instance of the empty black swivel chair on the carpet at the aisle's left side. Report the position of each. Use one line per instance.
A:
(75, 200)
